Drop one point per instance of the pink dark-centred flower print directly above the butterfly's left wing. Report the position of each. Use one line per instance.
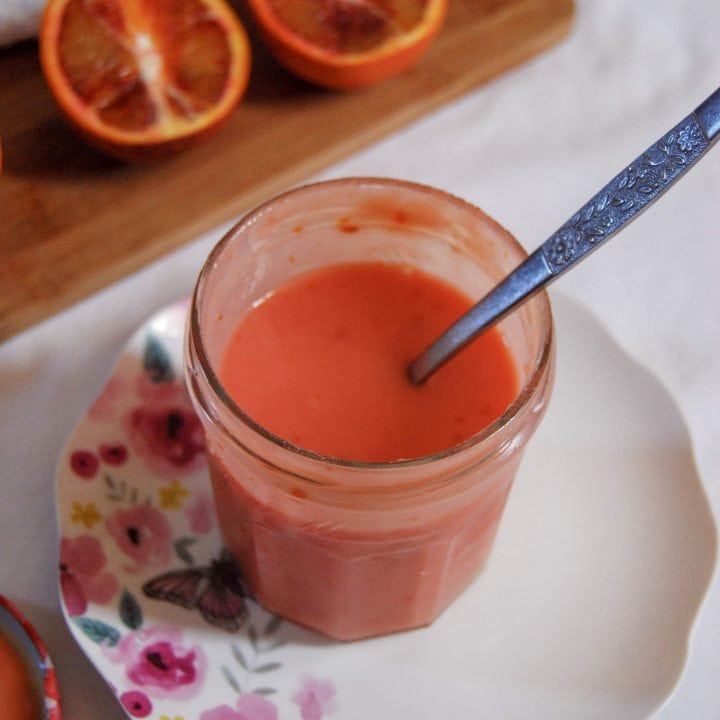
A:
(143, 534)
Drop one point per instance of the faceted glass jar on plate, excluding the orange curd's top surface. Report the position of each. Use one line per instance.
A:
(355, 549)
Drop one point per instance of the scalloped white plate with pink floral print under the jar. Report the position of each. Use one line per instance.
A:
(584, 610)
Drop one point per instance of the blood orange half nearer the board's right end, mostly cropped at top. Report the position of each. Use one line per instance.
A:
(348, 43)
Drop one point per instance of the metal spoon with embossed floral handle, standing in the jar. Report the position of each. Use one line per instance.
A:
(620, 201)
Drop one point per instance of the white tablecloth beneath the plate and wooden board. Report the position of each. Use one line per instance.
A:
(529, 148)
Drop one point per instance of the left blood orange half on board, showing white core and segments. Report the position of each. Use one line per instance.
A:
(142, 78)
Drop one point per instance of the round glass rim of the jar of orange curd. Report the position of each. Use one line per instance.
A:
(195, 338)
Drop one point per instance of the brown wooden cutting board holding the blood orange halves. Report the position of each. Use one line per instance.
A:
(72, 220)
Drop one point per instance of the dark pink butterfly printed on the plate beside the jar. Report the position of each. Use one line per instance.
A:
(217, 591)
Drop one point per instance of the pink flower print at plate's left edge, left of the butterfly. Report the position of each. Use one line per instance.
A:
(83, 577)
